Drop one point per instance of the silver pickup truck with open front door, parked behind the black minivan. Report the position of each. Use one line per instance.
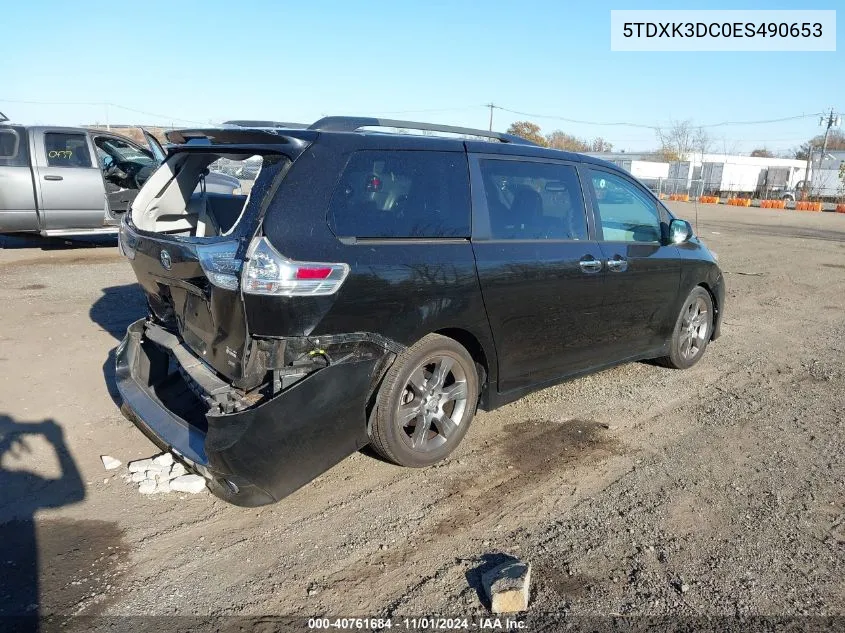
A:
(76, 181)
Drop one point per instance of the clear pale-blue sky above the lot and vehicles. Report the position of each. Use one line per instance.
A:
(207, 62)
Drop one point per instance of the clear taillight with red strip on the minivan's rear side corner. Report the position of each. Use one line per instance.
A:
(268, 272)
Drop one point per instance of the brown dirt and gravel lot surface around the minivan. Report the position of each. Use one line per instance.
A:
(639, 490)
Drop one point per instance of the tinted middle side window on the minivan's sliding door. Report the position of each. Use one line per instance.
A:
(533, 201)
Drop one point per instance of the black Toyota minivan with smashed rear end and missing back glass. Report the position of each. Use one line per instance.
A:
(377, 286)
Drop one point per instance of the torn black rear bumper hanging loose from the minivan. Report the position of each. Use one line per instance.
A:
(256, 455)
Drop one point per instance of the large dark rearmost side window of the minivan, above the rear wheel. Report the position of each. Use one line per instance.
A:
(402, 194)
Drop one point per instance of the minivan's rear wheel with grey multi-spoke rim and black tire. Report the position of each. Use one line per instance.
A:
(412, 424)
